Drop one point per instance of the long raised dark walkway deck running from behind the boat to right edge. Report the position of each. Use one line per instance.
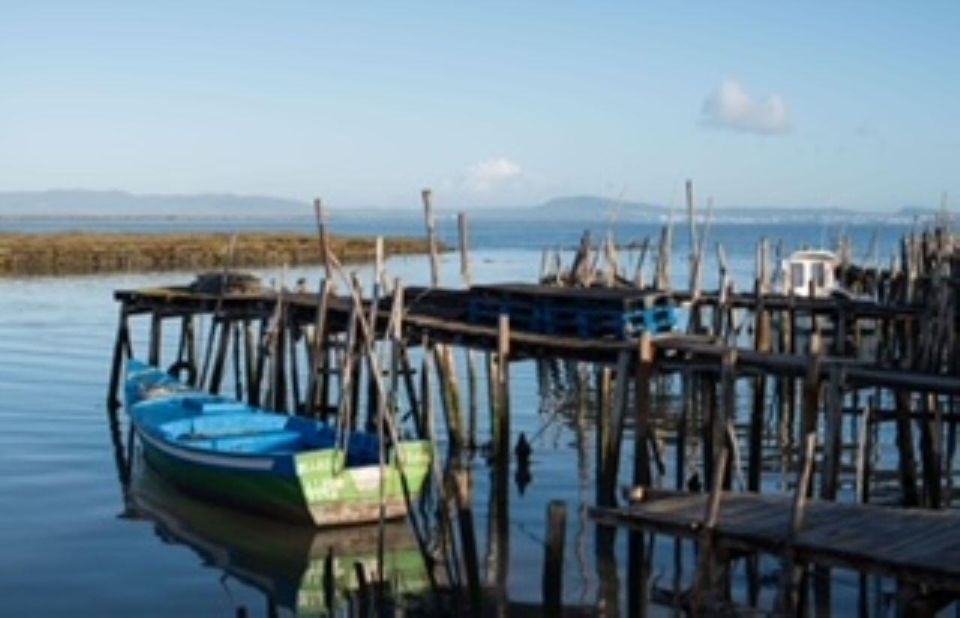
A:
(441, 316)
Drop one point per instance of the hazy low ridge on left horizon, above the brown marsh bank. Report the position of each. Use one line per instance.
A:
(72, 203)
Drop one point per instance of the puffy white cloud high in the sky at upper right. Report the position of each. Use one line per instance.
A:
(730, 106)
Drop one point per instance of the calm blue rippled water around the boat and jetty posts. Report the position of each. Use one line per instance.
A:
(73, 543)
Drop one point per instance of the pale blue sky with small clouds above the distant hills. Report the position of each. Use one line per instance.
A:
(846, 104)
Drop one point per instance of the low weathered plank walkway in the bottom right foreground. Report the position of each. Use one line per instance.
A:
(913, 545)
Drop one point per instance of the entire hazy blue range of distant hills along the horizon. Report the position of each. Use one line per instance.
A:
(584, 208)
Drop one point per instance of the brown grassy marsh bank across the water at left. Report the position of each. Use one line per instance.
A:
(100, 253)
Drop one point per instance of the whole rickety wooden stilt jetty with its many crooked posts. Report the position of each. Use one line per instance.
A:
(760, 381)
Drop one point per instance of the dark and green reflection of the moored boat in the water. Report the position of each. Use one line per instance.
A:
(302, 569)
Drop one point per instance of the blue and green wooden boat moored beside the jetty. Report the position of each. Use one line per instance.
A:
(289, 467)
